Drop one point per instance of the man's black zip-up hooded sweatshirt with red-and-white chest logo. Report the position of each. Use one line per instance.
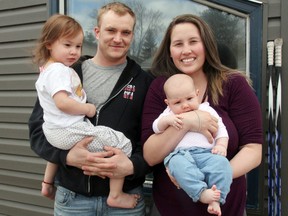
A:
(122, 112)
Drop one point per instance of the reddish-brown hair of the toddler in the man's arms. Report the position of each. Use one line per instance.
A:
(57, 26)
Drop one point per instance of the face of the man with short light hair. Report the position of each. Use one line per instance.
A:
(114, 35)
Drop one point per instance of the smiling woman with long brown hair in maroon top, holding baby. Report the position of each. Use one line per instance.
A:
(189, 47)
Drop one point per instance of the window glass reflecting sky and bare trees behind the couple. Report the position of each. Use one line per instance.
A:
(152, 20)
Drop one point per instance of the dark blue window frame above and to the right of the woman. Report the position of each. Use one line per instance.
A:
(253, 9)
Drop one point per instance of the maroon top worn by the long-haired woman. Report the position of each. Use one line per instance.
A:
(241, 113)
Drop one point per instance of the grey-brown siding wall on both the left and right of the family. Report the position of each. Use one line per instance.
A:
(20, 169)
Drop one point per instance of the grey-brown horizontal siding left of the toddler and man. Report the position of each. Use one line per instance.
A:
(20, 169)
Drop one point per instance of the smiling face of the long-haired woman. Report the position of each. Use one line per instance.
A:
(186, 48)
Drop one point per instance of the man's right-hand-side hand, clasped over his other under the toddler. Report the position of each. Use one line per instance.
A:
(116, 166)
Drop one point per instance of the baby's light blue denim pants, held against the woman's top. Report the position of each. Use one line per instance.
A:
(196, 169)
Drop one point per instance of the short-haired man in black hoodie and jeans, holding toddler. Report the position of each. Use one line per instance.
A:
(117, 86)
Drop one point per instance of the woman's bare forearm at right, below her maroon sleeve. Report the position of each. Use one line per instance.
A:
(248, 158)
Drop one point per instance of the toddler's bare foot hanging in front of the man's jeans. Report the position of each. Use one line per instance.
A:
(123, 200)
